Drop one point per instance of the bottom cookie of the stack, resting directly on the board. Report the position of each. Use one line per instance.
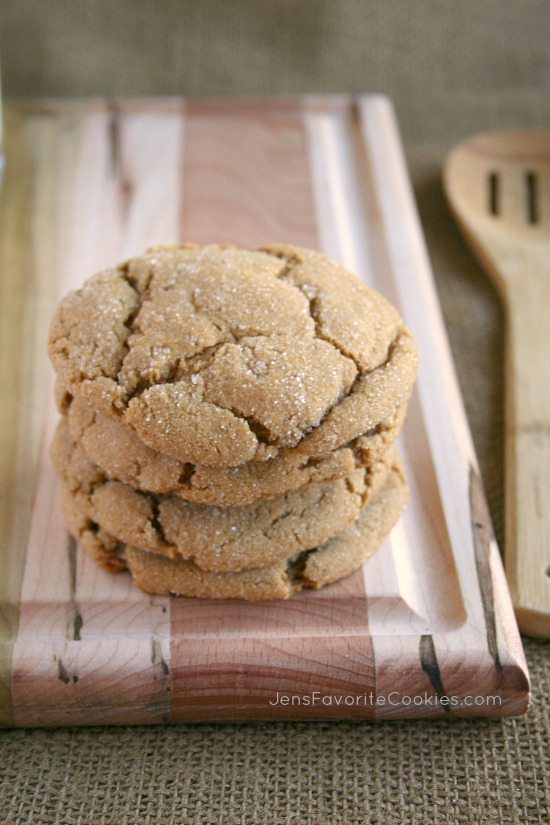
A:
(311, 569)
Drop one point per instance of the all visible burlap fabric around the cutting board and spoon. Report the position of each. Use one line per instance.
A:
(451, 69)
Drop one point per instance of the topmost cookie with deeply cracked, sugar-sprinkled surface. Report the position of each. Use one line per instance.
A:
(220, 355)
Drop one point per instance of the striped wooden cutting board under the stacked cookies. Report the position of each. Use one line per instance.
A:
(426, 627)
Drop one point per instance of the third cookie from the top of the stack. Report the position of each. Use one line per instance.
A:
(216, 538)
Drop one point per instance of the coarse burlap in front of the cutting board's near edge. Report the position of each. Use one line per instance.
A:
(442, 773)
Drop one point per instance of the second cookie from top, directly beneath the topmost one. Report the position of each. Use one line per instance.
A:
(124, 457)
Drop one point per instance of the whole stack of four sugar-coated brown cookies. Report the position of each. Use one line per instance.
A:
(229, 418)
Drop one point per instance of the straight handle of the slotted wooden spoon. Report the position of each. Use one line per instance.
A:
(527, 443)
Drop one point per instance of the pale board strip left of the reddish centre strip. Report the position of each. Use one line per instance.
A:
(95, 626)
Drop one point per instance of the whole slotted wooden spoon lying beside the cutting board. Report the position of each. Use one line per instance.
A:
(498, 186)
